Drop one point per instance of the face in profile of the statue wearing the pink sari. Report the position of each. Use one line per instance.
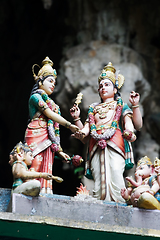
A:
(48, 85)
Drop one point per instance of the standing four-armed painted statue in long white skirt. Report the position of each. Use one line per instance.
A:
(110, 129)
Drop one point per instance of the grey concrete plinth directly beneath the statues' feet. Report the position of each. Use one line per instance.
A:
(93, 212)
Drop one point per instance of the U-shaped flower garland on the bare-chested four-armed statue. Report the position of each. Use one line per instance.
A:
(110, 131)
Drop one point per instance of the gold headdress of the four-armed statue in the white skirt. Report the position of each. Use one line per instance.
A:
(110, 72)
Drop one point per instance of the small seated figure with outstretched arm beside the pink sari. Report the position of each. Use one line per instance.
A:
(24, 180)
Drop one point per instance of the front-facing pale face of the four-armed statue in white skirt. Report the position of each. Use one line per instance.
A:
(106, 89)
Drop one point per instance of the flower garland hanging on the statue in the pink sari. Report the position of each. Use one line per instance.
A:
(53, 127)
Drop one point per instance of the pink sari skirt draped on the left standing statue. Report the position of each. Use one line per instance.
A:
(37, 133)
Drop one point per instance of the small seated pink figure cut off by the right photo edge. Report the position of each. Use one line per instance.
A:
(144, 190)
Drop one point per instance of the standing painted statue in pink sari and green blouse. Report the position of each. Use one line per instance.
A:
(42, 134)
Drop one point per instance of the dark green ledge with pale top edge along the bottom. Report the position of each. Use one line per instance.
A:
(41, 228)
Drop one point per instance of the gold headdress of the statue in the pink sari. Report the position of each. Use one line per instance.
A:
(45, 71)
